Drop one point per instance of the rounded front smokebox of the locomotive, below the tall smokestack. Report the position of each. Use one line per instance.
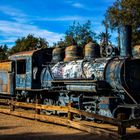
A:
(123, 74)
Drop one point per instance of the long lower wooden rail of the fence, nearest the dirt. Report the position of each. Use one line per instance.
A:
(60, 121)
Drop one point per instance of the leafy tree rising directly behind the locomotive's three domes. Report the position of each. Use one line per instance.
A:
(79, 34)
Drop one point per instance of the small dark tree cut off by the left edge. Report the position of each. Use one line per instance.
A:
(3, 52)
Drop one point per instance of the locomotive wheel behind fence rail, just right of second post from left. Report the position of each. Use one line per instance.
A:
(48, 102)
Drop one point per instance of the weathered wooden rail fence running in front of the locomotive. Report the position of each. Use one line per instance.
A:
(120, 123)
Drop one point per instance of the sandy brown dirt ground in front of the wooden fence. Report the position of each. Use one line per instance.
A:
(15, 128)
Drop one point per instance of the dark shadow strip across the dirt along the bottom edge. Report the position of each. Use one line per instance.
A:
(46, 136)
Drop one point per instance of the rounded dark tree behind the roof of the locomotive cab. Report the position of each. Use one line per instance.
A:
(28, 43)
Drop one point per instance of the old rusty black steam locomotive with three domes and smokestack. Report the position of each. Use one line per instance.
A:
(104, 85)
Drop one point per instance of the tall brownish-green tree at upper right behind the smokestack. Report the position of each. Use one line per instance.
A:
(124, 12)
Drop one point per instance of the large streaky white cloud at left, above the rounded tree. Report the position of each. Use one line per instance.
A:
(20, 26)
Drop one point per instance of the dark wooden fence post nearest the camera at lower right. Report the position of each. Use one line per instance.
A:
(121, 128)
